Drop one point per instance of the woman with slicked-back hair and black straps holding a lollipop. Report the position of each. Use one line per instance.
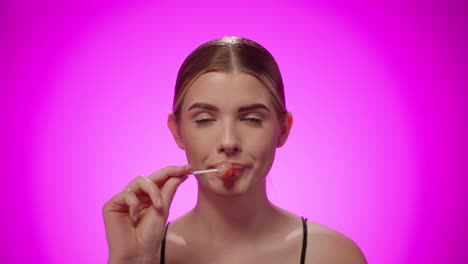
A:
(229, 106)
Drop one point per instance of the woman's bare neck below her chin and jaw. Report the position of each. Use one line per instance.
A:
(239, 217)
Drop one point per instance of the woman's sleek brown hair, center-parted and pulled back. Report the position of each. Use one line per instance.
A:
(230, 54)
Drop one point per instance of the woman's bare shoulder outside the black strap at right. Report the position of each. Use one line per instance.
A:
(326, 245)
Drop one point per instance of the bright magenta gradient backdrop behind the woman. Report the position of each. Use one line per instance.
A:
(378, 93)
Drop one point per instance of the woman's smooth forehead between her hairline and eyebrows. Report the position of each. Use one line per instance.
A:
(227, 89)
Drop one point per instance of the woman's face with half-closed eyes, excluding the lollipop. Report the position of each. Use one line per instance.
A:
(229, 117)
